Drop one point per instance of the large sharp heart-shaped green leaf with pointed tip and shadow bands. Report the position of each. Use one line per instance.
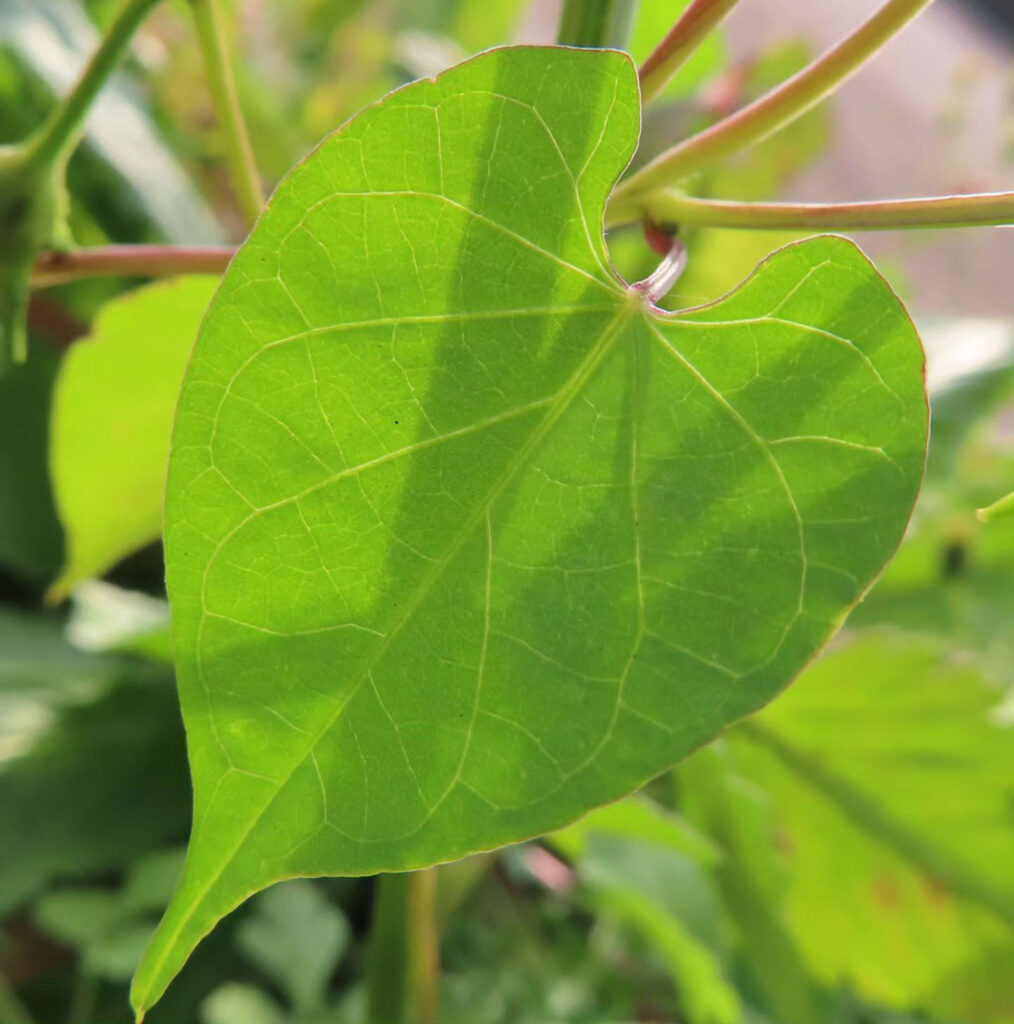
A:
(464, 537)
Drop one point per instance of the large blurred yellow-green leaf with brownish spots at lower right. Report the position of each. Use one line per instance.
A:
(898, 784)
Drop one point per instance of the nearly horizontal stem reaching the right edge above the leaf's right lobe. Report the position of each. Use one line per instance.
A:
(665, 207)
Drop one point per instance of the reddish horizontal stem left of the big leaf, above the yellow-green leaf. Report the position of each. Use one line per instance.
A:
(139, 262)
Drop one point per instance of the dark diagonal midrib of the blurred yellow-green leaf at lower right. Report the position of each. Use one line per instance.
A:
(872, 819)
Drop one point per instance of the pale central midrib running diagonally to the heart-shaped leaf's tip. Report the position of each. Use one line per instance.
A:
(559, 405)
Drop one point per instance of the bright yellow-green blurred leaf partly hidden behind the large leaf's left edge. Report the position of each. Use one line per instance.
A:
(112, 419)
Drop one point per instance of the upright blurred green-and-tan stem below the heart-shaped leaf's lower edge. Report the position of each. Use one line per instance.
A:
(403, 968)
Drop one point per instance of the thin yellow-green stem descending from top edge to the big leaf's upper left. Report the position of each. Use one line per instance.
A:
(239, 152)
